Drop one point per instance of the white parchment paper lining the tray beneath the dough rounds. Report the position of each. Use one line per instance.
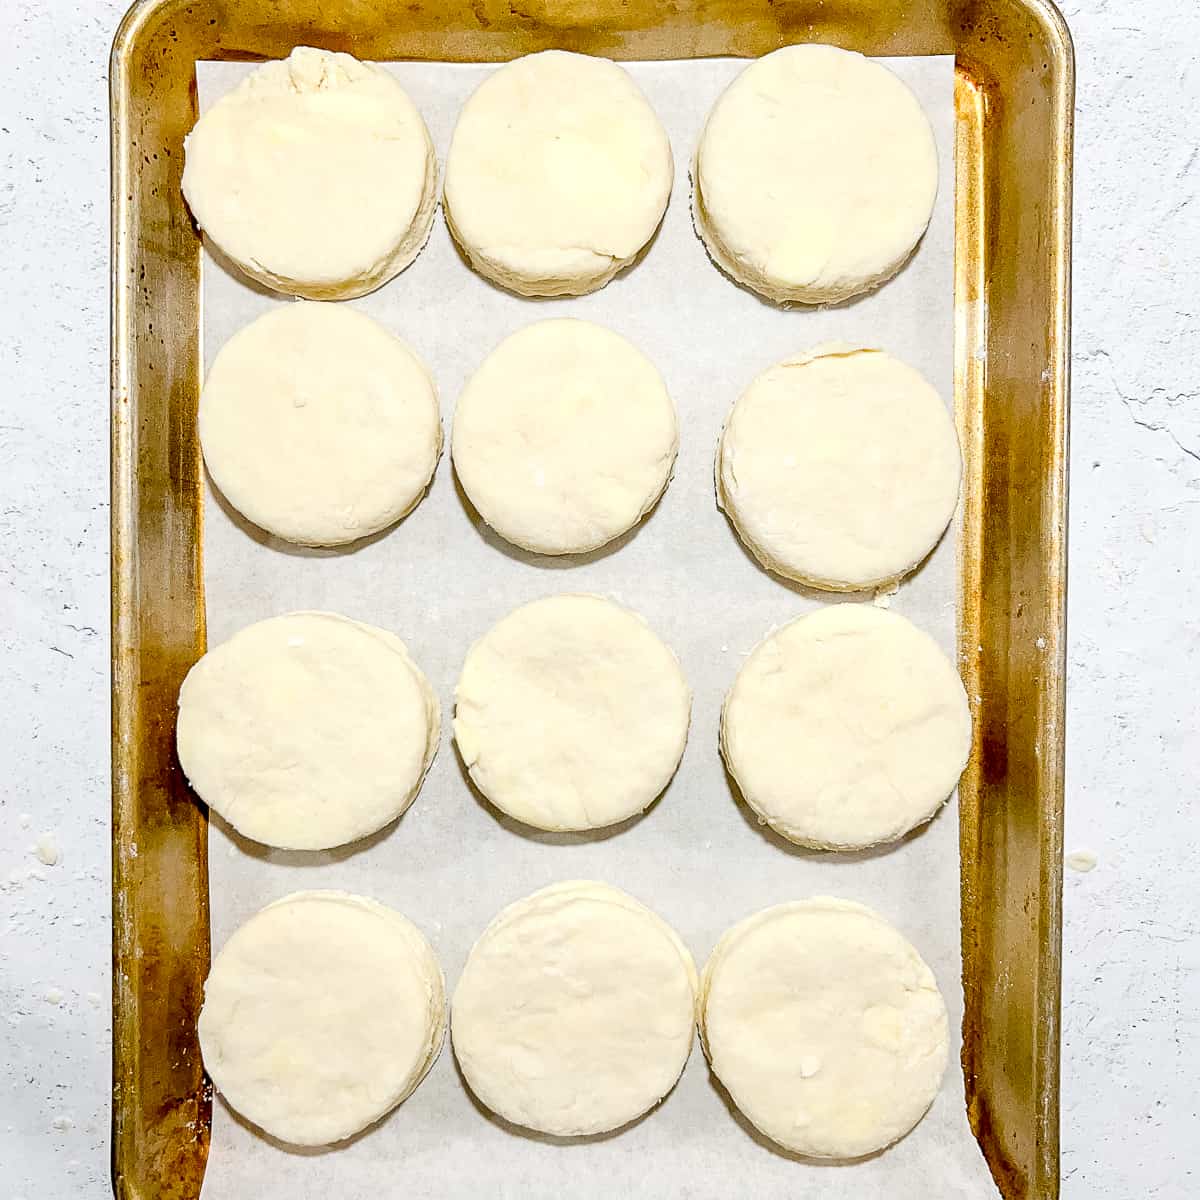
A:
(441, 580)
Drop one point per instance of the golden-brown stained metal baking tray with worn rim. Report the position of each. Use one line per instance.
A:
(1015, 97)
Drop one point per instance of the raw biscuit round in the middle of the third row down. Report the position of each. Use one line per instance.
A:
(572, 715)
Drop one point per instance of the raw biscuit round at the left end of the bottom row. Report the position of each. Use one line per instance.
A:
(322, 1013)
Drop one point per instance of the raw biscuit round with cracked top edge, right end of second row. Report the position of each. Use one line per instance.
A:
(839, 467)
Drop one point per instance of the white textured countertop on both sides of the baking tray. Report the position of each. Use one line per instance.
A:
(1132, 938)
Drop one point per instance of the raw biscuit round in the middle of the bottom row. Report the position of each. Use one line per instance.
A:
(577, 1011)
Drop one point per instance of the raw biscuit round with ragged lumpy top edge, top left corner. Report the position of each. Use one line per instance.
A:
(316, 176)
